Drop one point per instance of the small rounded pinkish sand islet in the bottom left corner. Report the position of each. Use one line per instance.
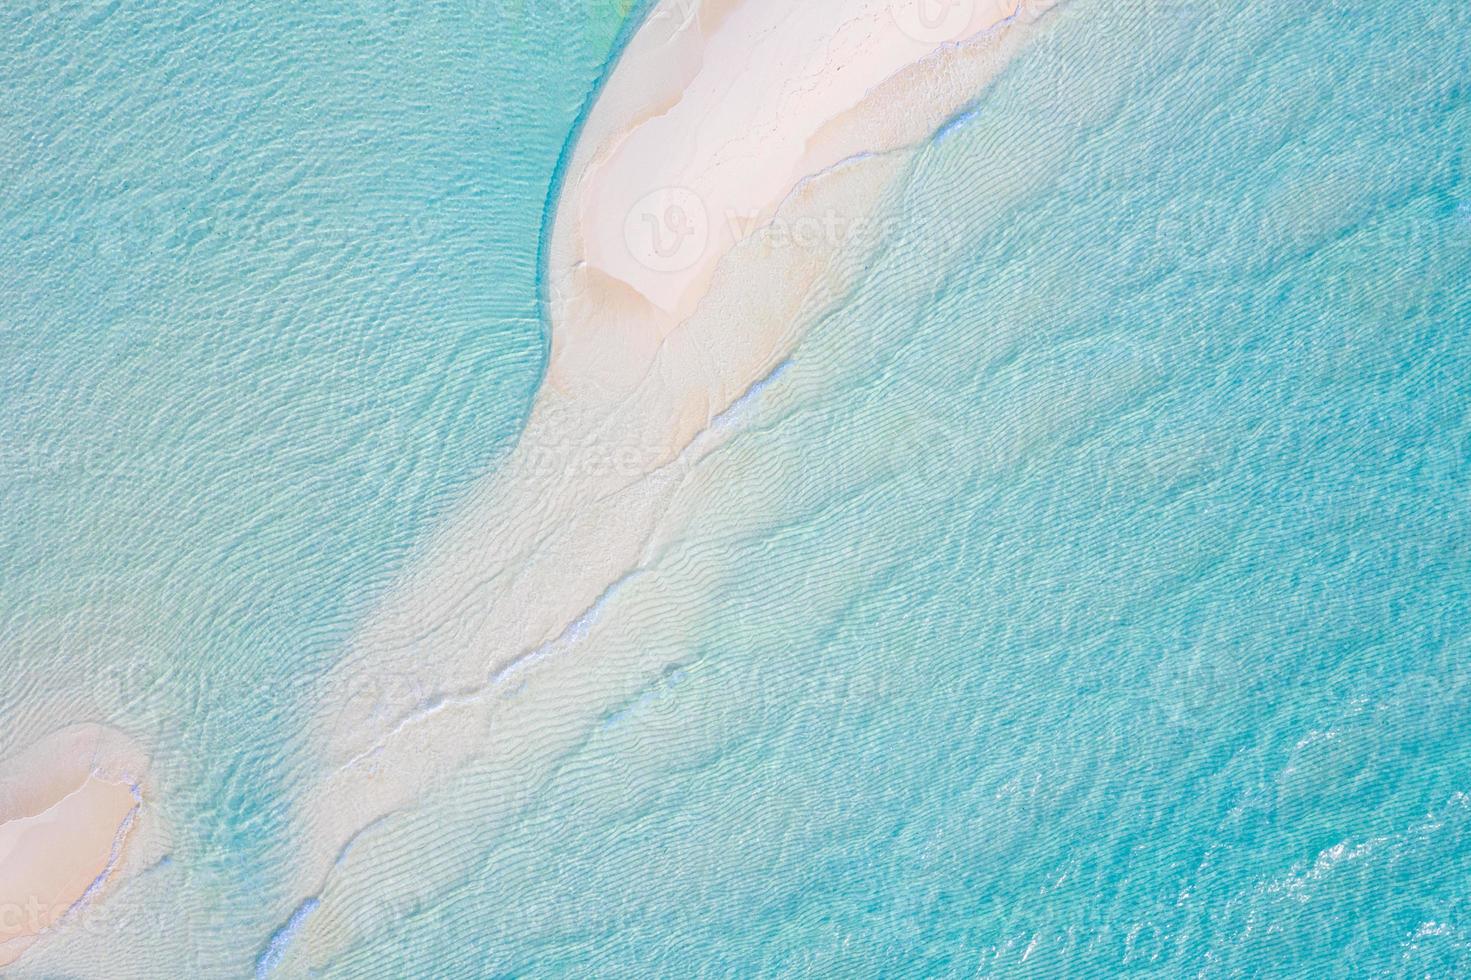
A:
(68, 807)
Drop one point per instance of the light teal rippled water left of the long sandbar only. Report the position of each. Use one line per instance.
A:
(268, 305)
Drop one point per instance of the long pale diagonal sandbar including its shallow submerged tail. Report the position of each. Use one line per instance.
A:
(705, 219)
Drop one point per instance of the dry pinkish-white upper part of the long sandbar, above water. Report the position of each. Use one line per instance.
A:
(749, 90)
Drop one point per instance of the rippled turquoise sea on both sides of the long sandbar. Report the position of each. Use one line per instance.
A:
(1114, 611)
